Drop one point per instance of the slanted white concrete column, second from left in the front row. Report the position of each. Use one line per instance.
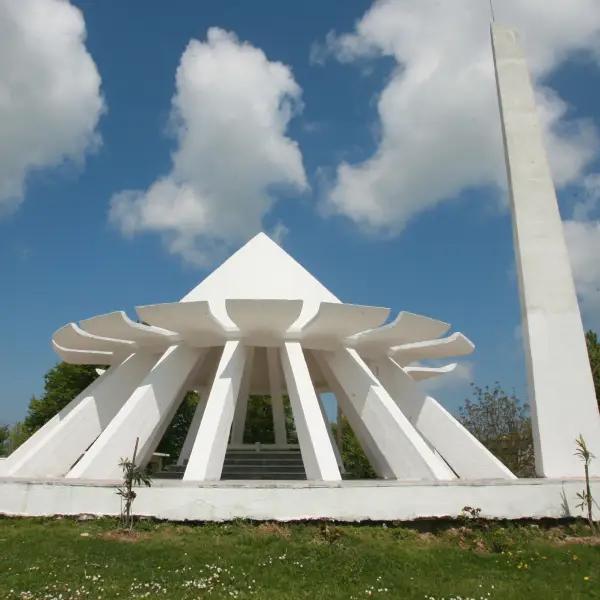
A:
(146, 414)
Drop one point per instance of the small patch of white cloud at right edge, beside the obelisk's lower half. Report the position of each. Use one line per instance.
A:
(583, 240)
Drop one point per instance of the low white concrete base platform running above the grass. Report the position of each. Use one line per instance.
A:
(299, 500)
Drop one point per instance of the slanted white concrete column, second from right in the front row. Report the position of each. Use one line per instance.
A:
(393, 445)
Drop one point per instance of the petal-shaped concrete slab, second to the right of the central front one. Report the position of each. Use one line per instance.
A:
(406, 328)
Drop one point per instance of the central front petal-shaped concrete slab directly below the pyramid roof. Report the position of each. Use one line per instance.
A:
(260, 320)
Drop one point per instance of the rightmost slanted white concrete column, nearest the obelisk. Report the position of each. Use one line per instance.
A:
(468, 457)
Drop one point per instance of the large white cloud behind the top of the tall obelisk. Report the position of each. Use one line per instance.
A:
(439, 124)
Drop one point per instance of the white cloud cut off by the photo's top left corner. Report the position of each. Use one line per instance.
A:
(50, 99)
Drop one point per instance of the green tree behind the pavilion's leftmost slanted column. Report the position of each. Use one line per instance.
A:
(62, 383)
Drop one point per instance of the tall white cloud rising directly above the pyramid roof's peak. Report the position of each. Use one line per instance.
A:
(230, 112)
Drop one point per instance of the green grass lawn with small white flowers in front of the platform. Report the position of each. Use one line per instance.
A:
(64, 558)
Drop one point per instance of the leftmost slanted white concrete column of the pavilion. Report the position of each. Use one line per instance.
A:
(52, 450)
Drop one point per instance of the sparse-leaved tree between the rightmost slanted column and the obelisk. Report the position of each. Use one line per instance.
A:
(502, 424)
